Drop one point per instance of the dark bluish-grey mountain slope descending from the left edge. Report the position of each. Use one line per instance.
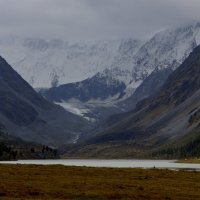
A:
(26, 114)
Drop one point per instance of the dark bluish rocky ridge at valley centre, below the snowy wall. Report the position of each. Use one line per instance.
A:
(97, 87)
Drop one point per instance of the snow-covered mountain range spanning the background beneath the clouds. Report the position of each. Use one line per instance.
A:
(128, 61)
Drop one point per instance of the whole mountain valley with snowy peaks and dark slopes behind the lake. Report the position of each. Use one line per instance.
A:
(141, 103)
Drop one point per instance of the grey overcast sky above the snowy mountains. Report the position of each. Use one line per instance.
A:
(94, 19)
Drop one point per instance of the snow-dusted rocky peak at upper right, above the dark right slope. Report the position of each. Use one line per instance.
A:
(166, 49)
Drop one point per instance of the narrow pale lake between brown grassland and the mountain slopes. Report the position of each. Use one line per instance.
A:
(115, 163)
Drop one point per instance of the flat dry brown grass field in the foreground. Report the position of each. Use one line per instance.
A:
(60, 182)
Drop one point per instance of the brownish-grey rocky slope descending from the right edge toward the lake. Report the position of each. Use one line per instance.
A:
(171, 117)
